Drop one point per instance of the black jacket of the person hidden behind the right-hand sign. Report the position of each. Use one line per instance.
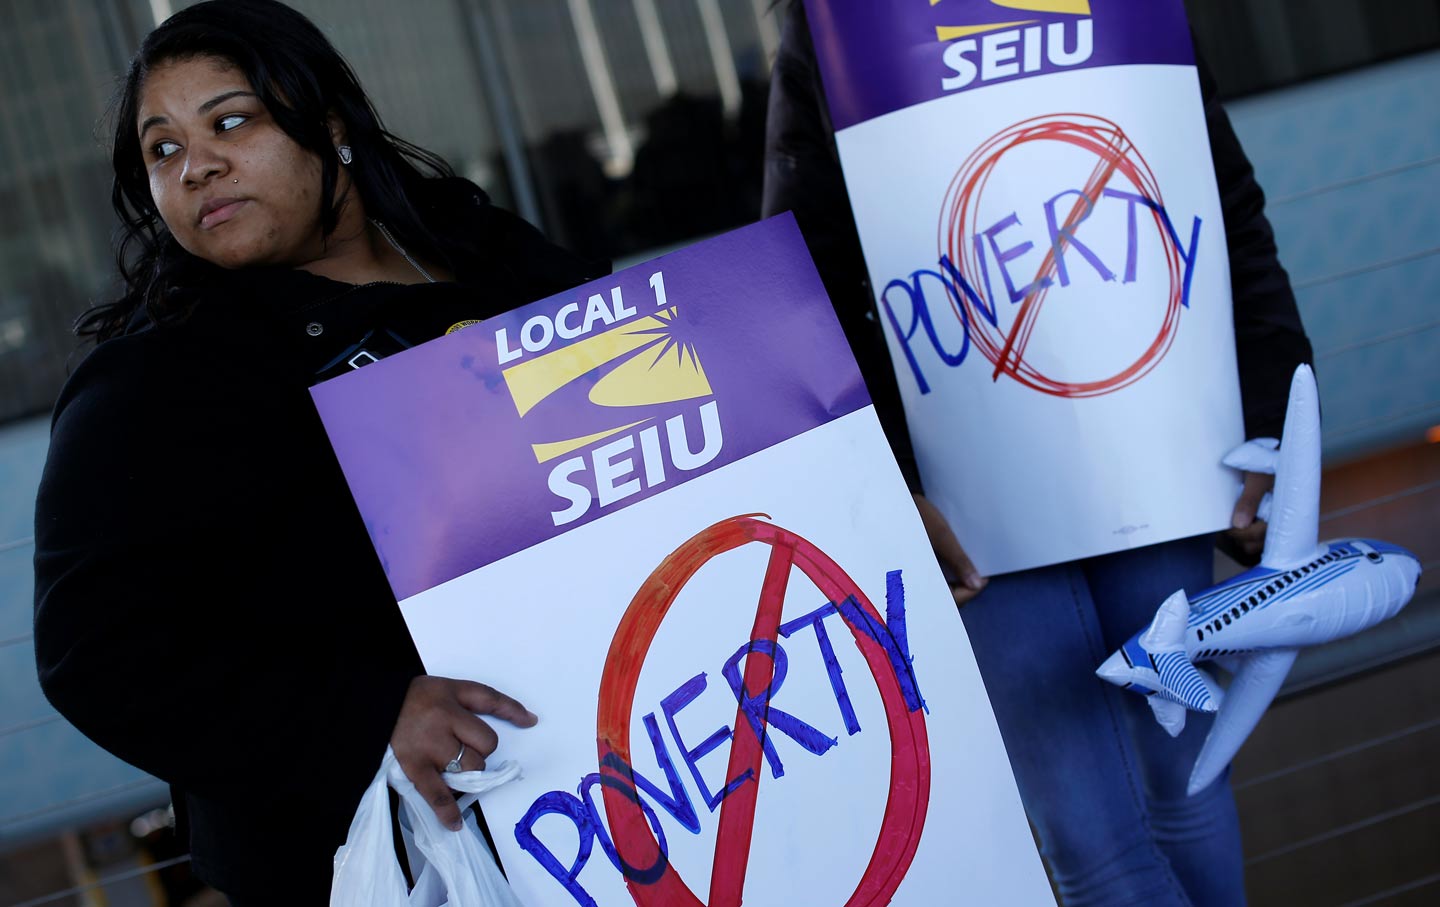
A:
(803, 175)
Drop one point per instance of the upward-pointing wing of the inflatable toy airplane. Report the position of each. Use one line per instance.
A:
(1292, 538)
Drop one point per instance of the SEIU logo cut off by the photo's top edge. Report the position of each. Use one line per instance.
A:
(1003, 50)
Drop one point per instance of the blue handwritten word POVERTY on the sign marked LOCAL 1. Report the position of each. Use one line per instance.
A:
(758, 716)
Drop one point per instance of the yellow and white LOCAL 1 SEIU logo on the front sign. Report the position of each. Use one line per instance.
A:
(629, 381)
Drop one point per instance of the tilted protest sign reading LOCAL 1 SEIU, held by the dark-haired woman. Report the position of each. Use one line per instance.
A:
(660, 512)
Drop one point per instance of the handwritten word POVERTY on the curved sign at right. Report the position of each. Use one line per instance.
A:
(963, 297)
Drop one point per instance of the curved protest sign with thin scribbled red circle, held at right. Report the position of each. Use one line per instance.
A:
(1035, 194)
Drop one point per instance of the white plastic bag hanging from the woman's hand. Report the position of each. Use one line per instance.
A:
(451, 869)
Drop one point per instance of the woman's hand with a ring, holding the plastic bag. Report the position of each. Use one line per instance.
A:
(437, 718)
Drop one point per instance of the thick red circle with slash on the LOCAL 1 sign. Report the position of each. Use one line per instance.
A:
(909, 745)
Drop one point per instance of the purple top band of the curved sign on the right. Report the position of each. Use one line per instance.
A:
(878, 58)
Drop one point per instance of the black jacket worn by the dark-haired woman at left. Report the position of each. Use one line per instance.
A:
(208, 603)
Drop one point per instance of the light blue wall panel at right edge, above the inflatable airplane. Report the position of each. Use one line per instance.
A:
(1353, 171)
